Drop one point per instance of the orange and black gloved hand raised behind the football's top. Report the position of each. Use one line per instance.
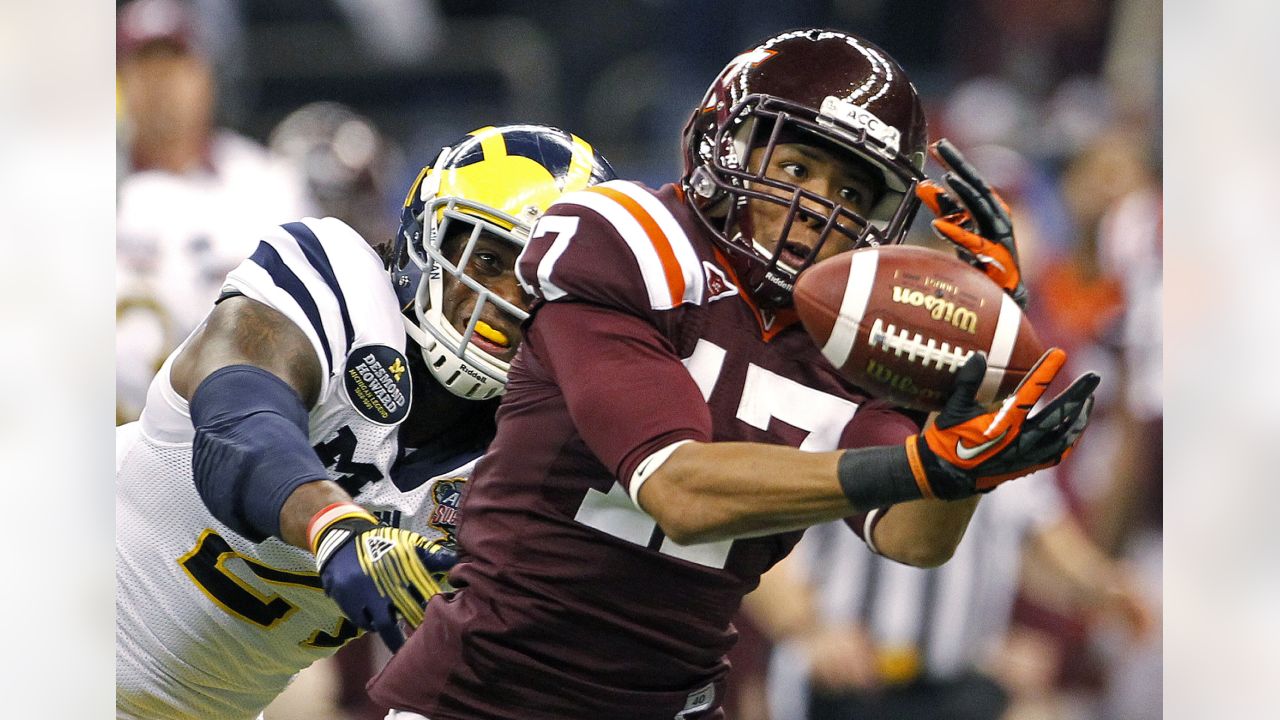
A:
(975, 218)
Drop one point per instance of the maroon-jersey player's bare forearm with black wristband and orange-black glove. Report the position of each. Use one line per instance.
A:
(705, 493)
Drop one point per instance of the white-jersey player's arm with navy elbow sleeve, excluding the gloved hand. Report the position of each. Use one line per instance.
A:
(252, 376)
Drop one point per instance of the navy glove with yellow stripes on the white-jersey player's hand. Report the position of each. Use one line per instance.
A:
(378, 575)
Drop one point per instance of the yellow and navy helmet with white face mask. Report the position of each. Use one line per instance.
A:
(496, 181)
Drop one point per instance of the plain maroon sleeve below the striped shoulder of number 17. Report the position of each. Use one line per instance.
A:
(627, 391)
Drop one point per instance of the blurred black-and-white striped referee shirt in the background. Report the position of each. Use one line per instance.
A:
(925, 623)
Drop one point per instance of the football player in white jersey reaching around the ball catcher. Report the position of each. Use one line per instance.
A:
(259, 526)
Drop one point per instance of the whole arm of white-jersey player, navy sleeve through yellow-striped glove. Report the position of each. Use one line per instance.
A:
(252, 377)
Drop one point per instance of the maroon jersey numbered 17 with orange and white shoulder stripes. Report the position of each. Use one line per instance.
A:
(572, 603)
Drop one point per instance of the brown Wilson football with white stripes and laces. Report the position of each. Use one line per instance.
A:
(899, 322)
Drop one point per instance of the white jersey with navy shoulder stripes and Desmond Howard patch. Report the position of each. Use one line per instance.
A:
(211, 626)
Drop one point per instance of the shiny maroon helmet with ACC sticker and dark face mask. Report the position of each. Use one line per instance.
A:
(820, 88)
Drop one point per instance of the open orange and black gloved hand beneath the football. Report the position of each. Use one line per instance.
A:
(971, 450)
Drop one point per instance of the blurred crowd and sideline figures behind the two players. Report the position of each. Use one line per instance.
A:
(235, 116)
